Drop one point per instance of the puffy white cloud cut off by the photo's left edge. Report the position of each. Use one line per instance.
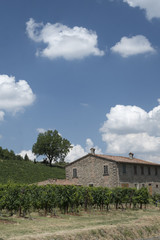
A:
(14, 96)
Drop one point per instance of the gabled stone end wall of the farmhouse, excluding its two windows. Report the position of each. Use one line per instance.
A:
(90, 171)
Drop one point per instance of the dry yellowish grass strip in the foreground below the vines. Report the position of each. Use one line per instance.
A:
(94, 225)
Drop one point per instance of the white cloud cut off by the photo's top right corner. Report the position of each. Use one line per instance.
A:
(151, 7)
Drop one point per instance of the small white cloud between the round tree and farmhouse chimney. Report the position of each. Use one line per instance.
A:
(78, 151)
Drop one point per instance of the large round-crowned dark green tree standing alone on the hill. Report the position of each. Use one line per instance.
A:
(52, 145)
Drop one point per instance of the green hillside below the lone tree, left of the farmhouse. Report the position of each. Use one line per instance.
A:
(27, 172)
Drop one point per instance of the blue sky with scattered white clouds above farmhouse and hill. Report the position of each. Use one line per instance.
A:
(88, 68)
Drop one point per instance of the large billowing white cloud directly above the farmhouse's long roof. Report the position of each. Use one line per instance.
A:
(132, 129)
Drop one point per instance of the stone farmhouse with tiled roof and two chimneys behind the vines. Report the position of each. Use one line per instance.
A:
(113, 171)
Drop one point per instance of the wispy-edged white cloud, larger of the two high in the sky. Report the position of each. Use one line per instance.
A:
(62, 41)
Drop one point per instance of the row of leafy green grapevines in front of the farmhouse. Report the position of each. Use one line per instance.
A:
(25, 199)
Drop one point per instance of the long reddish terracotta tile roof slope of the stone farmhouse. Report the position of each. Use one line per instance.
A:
(121, 159)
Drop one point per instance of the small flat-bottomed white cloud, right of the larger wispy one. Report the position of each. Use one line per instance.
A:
(133, 46)
